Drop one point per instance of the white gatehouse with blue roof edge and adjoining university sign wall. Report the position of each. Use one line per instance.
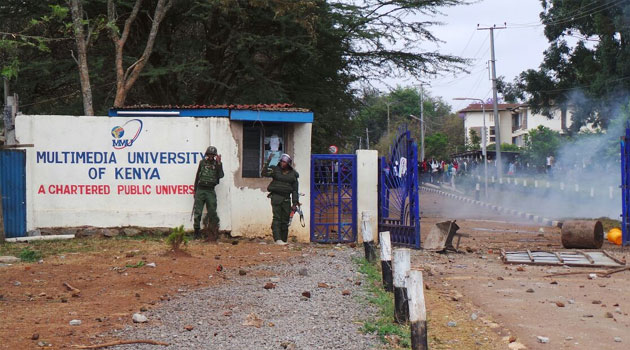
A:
(137, 166)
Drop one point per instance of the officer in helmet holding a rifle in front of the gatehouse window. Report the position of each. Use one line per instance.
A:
(284, 195)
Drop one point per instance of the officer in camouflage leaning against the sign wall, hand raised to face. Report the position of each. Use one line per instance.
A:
(209, 172)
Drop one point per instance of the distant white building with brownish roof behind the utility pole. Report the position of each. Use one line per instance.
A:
(516, 120)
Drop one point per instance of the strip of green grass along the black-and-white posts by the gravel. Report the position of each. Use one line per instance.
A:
(383, 324)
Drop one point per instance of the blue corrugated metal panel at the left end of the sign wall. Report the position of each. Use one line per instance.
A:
(13, 187)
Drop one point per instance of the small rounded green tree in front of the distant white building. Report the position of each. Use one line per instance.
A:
(541, 143)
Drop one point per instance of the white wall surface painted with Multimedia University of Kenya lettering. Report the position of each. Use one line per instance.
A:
(244, 211)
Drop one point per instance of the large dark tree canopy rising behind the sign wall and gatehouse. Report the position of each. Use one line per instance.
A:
(313, 53)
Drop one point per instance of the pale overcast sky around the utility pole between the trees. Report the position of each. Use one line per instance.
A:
(518, 48)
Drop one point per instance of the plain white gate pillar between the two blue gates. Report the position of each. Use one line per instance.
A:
(367, 189)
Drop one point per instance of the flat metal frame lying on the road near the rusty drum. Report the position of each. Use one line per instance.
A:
(570, 258)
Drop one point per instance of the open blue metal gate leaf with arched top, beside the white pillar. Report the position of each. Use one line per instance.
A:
(399, 204)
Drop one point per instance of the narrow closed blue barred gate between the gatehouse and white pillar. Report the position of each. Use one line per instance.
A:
(333, 198)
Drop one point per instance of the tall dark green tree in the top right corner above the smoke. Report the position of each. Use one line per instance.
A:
(590, 77)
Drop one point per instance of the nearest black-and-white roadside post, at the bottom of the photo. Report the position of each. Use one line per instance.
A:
(417, 311)
